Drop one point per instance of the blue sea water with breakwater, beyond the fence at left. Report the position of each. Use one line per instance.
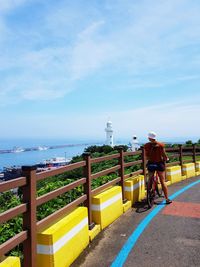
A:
(38, 156)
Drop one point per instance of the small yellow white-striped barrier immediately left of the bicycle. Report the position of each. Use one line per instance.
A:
(135, 189)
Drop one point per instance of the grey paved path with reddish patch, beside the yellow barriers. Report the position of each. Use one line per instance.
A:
(171, 239)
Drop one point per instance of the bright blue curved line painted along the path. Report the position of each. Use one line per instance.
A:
(128, 246)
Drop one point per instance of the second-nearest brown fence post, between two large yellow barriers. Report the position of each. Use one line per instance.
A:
(88, 188)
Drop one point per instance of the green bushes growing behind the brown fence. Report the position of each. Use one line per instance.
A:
(9, 199)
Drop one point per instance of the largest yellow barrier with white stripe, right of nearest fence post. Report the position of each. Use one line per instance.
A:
(61, 243)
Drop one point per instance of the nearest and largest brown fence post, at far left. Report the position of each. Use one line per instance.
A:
(29, 218)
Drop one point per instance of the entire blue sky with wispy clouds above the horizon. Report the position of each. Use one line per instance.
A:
(66, 67)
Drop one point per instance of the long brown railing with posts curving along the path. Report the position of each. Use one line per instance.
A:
(28, 185)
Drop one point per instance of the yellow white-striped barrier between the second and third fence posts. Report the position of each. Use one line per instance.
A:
(107, 206)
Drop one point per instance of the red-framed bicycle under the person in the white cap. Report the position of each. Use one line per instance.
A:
(152, 189)
